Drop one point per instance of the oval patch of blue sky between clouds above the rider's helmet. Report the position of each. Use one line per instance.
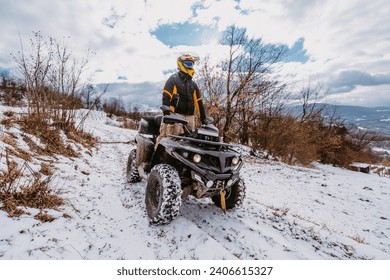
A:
(189, 34)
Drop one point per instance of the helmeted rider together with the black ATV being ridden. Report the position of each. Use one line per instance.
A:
(178, 160)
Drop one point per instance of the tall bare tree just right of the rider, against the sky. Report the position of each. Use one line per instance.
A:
(241, 80)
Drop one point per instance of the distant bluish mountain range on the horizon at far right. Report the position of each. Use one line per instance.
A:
(376, 119)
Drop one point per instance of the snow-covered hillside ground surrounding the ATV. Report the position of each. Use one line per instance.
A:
(290, 213)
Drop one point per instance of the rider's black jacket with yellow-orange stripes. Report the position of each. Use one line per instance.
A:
(182, 94)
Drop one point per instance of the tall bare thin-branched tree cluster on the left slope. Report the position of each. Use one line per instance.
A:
(52, 77)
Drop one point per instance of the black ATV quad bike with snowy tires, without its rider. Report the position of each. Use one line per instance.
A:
(195, 163)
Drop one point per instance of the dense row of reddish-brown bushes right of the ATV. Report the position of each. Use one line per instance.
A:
(297, 141)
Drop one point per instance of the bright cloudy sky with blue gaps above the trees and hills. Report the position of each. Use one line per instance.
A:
(343, 45)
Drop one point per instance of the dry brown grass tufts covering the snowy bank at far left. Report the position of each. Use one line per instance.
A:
(20, 186)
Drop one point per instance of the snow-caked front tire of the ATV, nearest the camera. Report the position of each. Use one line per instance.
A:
(163, 194)
